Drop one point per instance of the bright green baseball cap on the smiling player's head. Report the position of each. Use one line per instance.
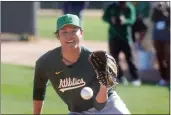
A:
(68, 19)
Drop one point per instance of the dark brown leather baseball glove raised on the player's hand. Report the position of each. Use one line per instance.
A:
(105, 68)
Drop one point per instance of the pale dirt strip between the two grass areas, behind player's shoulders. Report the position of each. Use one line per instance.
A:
(26, 53)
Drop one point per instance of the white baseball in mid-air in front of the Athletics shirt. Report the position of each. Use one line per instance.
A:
(86, 93)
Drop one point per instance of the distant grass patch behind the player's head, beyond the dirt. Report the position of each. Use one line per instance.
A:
(94, 28)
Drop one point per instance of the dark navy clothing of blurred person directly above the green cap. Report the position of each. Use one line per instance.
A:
(75, 7)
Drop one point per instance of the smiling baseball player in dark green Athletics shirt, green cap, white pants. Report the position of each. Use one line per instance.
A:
(69, 70)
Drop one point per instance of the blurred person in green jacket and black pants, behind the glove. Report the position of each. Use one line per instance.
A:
(120, 16)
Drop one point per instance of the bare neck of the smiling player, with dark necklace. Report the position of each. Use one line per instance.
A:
(71, 56)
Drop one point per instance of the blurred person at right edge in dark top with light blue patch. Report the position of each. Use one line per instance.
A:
(161, 39)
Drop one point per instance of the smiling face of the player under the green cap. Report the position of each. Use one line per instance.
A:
(70, 36)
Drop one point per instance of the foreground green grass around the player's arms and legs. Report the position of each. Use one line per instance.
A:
(16, 95)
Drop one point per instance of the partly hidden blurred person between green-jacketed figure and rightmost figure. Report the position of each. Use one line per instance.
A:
(139, 28)
